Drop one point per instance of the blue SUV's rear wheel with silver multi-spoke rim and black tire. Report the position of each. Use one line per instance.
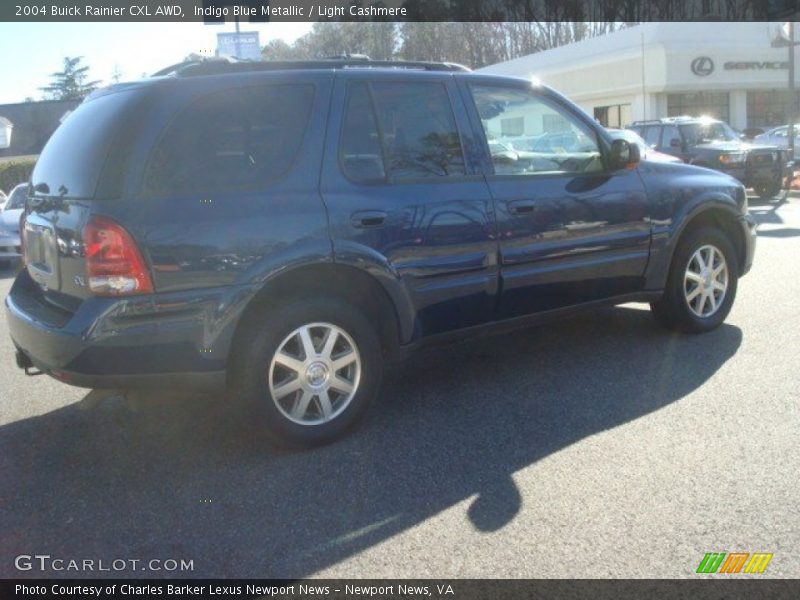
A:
(272, 355)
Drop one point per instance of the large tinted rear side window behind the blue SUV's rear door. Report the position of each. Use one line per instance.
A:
(240, 138)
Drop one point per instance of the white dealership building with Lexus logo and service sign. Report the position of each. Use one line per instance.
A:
(653, 70)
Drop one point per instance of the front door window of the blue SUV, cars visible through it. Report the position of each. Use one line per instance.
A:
(549, 141)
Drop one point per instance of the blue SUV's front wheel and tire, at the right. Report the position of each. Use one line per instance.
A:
(675, 310)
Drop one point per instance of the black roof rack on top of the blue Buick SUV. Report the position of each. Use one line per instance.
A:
(215, 66)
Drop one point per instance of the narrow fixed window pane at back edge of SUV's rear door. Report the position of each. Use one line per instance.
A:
(360, 147)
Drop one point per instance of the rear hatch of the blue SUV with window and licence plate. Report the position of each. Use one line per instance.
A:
(81, 168)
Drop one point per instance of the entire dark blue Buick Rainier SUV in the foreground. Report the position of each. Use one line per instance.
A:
(284, 230)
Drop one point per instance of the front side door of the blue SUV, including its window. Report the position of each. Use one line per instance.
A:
(570, 230)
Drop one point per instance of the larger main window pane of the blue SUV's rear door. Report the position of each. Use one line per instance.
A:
(420, 137)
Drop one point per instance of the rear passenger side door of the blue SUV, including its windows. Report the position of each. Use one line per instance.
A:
(404, 197)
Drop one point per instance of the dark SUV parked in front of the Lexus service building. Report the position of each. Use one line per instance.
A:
(713, 144)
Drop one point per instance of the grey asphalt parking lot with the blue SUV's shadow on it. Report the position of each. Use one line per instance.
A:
(597, 446)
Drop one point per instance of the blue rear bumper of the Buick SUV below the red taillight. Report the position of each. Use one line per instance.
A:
(161, 340)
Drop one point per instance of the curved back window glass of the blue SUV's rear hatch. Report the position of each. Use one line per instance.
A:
(71, 162)
